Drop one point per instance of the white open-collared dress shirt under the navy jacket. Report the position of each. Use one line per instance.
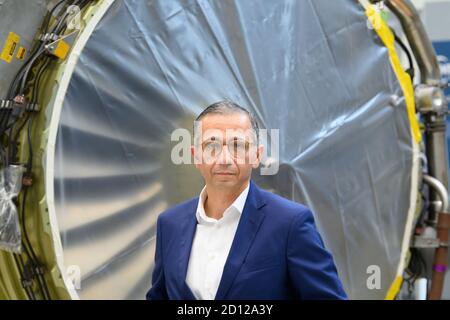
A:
(211, 245)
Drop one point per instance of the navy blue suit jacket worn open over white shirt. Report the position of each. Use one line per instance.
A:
(276, 253)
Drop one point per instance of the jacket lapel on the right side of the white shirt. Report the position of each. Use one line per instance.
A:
(248, 226)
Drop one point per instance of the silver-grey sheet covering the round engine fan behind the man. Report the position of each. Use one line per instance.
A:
(312, 69)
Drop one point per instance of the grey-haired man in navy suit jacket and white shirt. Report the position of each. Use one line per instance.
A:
(237, 241)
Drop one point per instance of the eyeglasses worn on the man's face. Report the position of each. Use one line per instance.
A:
(238, 148)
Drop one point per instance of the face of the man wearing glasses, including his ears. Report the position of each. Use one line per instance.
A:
(226, 151)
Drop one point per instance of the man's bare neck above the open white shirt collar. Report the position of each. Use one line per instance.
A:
(218, 200)
